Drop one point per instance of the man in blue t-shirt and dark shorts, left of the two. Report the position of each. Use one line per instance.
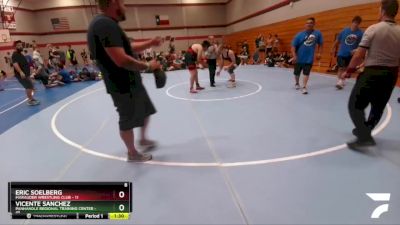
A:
(303, 50)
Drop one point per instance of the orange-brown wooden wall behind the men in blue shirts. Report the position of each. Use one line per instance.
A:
(329, 22)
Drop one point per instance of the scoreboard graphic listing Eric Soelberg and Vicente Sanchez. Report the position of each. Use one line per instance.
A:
(70, 200)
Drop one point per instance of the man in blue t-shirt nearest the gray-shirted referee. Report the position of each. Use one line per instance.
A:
(348, 41)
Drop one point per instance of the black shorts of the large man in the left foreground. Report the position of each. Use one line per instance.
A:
(133, 108)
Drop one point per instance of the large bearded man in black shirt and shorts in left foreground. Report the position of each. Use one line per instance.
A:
(114, 55)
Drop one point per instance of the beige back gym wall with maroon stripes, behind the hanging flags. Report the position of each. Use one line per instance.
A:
(189, 24)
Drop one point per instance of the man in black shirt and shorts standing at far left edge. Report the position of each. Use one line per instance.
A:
(22, 72)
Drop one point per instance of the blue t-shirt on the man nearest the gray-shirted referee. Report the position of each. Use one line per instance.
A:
(349, 41)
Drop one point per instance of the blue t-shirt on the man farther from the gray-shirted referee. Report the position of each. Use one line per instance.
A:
(305, 43)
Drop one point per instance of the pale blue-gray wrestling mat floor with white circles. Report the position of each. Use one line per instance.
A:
(259, 154)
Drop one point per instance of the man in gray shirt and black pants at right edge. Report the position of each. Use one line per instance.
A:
(380, 51)
